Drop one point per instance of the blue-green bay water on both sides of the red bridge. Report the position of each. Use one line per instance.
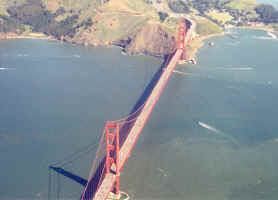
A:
(212, 135)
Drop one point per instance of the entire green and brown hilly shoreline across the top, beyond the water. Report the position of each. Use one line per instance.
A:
(127, 23)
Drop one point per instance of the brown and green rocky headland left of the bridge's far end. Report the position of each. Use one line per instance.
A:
(133, 25)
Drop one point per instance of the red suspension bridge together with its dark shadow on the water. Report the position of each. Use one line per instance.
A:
(120, 136)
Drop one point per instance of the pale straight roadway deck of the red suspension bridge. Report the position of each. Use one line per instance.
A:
(110, 178)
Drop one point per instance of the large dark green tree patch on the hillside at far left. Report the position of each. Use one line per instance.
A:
(35, 15)
